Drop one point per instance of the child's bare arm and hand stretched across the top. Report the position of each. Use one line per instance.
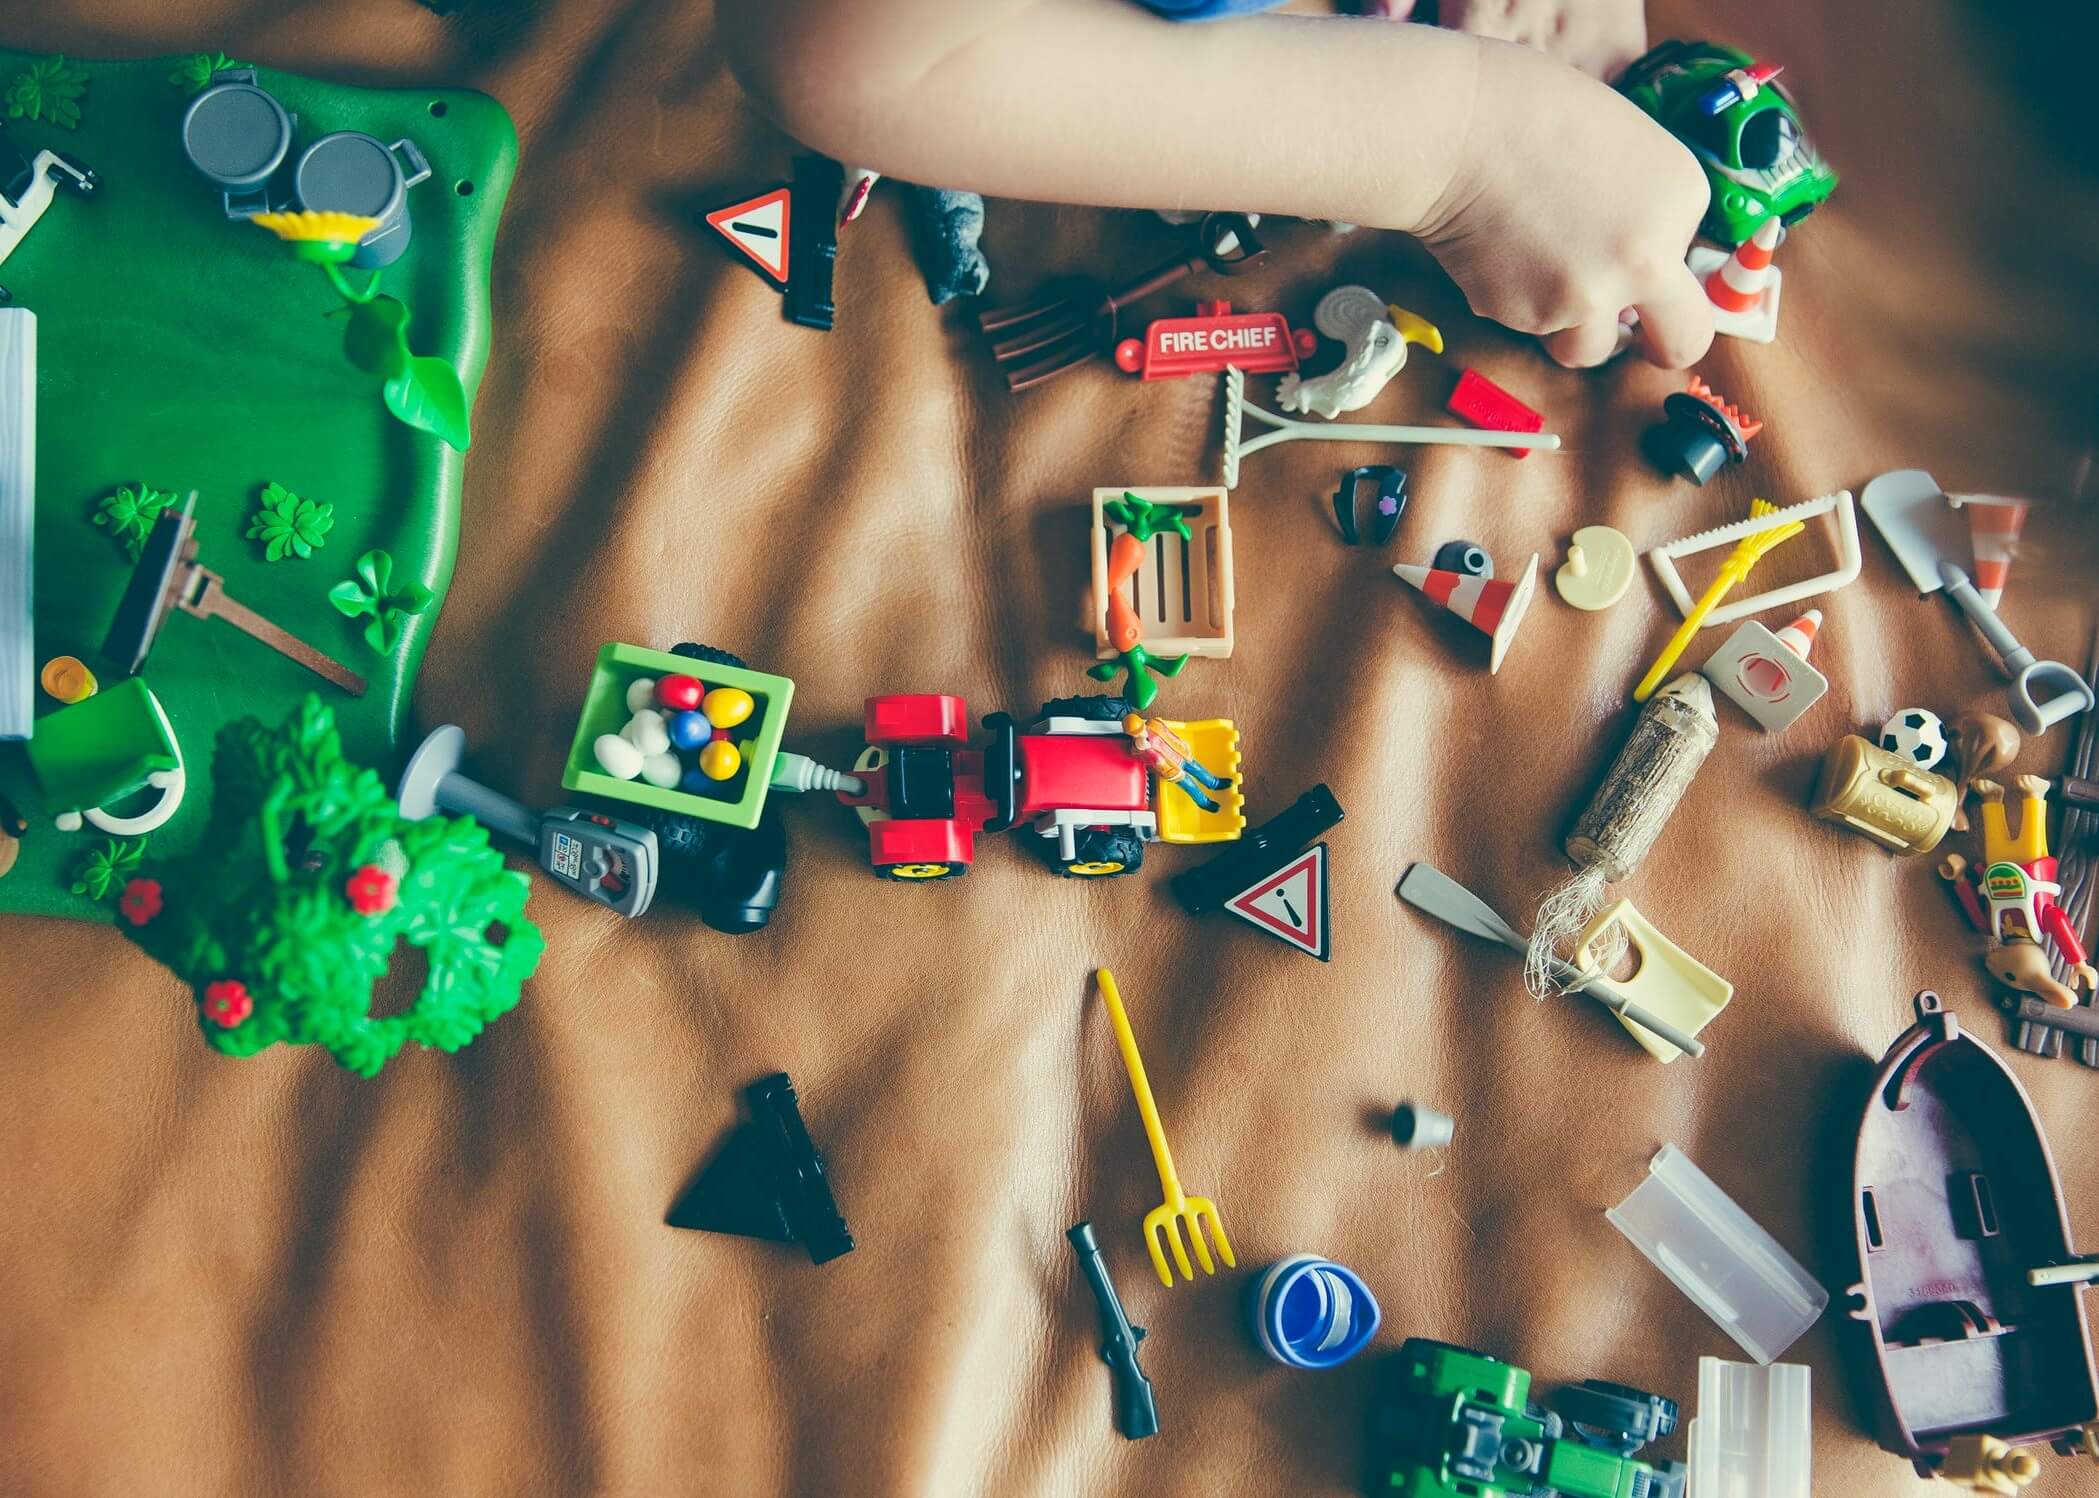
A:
(1552, 200)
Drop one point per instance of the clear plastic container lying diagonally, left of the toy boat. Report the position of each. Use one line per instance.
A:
(1720, 1258)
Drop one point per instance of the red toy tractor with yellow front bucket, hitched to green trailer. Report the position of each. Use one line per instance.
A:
(1074, 777)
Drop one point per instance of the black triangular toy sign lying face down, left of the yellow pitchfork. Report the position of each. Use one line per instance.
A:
(769, 1182)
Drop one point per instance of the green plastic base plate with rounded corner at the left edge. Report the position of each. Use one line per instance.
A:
(190, 351)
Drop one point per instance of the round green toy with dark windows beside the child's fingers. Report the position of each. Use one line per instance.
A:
(1743, 129)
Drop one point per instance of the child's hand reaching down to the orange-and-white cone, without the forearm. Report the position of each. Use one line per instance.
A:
(1565, 209)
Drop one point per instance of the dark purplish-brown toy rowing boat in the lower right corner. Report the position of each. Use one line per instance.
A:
(1955, 1203)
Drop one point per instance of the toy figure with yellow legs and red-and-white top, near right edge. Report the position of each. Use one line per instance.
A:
(2014, 903)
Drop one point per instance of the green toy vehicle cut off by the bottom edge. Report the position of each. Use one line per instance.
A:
(1454, 1424)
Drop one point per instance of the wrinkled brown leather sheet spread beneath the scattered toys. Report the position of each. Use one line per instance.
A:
(270, 1277)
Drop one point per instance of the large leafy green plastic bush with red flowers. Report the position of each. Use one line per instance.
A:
(303, 889)
